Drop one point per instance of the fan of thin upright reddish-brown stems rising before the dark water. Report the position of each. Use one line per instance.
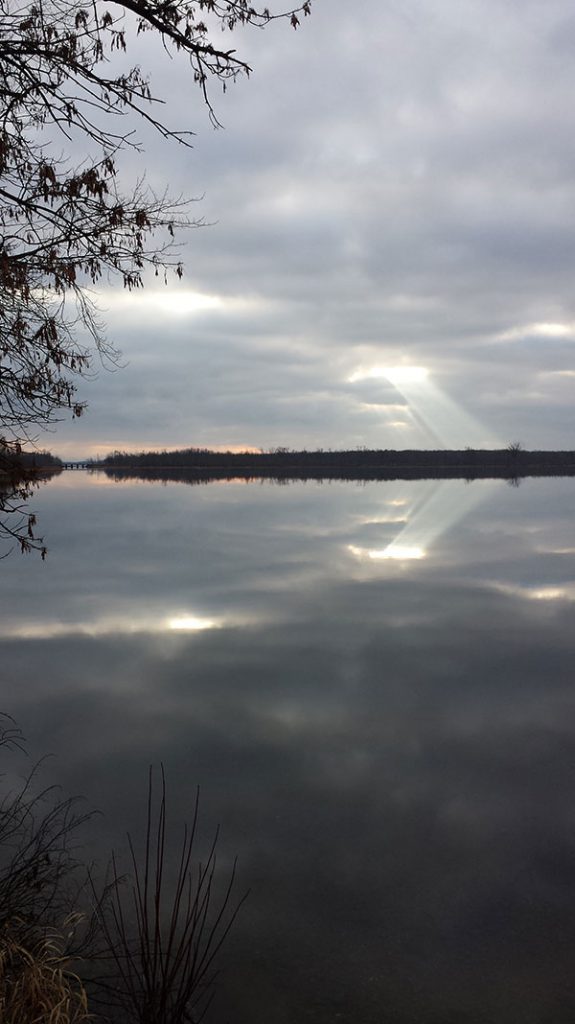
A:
(164, 935)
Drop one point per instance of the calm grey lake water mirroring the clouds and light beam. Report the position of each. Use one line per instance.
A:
(374, 688)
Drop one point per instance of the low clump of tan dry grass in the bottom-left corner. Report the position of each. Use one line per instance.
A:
(37, 986)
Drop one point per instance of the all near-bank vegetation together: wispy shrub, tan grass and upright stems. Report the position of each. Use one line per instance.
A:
(135, 943)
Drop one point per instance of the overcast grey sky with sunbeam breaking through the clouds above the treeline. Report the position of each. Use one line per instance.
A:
(390, 253)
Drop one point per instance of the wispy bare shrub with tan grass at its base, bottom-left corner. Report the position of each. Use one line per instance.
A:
(37, 887)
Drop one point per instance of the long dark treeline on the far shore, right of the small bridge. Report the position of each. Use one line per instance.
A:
(203, 465)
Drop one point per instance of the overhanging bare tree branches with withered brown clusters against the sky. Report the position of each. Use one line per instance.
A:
(65, 73)
